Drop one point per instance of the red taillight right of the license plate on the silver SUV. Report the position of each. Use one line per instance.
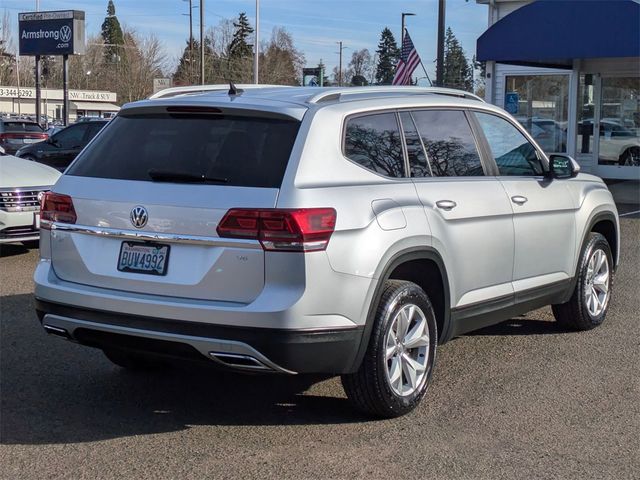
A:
(290, 230)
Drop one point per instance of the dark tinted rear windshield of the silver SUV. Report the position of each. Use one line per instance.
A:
(240, 151)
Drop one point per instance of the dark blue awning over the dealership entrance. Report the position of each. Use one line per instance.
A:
(554, 32)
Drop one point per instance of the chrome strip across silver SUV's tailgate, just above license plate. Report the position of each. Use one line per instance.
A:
(151, 236)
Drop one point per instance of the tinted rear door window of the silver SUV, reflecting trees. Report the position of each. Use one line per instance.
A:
(449, 142)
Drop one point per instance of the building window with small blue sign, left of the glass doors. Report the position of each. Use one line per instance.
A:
(540, 103)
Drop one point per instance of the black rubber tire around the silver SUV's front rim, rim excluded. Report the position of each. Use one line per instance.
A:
(575, 314)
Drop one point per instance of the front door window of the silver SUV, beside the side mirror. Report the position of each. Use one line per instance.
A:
(514, 154)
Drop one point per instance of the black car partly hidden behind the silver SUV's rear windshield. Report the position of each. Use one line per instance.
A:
(62, 147)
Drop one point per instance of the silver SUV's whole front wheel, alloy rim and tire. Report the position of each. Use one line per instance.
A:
(588, 305)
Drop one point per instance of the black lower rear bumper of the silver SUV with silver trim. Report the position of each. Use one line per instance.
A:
(286, 351)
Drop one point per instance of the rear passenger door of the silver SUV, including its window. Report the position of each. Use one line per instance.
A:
(468, 212)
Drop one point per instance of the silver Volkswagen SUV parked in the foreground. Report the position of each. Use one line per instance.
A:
(306, 230)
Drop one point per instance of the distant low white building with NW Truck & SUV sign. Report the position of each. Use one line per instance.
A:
(82, 103)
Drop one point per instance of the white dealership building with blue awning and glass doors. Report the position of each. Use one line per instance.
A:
(569, 71)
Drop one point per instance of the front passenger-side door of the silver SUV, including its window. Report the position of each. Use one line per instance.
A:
(543, 209)
